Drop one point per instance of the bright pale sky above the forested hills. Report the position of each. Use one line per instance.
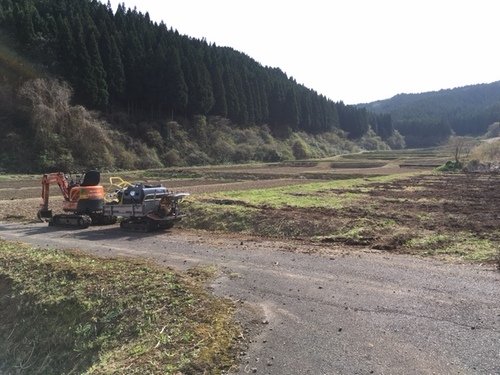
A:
(351, 50)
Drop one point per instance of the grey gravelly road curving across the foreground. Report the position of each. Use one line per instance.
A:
(327, 311)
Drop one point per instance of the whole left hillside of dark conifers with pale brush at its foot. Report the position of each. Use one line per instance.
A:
(83, 85)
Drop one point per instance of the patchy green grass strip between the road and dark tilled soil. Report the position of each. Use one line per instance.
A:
(275, 212)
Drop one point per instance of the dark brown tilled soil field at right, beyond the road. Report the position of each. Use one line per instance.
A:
(386, 215)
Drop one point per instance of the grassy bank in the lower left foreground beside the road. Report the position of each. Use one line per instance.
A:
(66, 311)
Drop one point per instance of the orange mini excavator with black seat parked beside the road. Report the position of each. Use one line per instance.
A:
(83, 202)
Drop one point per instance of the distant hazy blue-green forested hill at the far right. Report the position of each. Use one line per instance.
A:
(429, 118)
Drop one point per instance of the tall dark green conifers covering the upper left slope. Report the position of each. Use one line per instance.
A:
(122, 61)
